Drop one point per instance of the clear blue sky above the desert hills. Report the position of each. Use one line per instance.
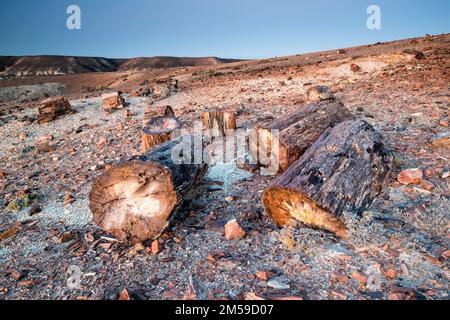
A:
(224, 28)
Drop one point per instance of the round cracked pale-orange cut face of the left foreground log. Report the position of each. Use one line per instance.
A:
(133, 201)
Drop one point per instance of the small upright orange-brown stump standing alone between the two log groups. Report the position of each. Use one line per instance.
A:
(219, 123)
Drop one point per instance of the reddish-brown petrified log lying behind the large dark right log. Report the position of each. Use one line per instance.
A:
(298, 130)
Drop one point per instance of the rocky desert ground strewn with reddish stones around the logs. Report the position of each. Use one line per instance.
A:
(50, 249)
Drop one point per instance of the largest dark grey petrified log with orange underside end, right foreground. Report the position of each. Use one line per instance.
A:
(344, 171)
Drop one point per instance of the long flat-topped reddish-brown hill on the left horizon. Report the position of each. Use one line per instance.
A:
(61, 65)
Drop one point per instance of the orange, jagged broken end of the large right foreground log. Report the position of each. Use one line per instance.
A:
(287, 206)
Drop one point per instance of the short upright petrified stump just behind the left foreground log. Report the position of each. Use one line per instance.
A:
(157, 131)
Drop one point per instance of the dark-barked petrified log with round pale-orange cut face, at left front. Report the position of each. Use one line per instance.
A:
(135, 201)
